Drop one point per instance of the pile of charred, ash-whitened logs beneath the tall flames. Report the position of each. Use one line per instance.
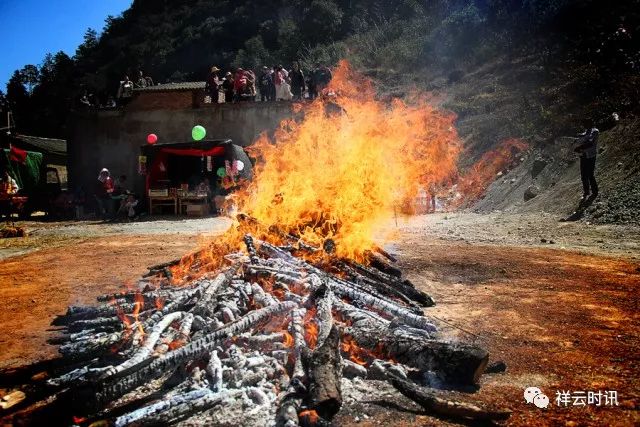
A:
(268, 339)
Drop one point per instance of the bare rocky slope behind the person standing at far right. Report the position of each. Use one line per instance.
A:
(547, 179)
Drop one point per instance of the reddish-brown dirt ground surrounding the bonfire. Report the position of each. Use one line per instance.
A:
(561, 315)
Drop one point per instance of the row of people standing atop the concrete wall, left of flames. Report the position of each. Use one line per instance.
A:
(269, 84)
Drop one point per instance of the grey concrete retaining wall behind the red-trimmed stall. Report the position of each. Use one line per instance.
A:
(112, 138)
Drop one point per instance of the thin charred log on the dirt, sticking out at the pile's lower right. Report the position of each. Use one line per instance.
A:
(448, 408)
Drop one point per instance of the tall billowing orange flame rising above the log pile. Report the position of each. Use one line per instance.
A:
(342, 170)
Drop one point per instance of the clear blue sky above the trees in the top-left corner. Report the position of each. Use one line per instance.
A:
(29, 29)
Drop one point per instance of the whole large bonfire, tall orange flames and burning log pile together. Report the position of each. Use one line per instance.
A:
(268, 324)
